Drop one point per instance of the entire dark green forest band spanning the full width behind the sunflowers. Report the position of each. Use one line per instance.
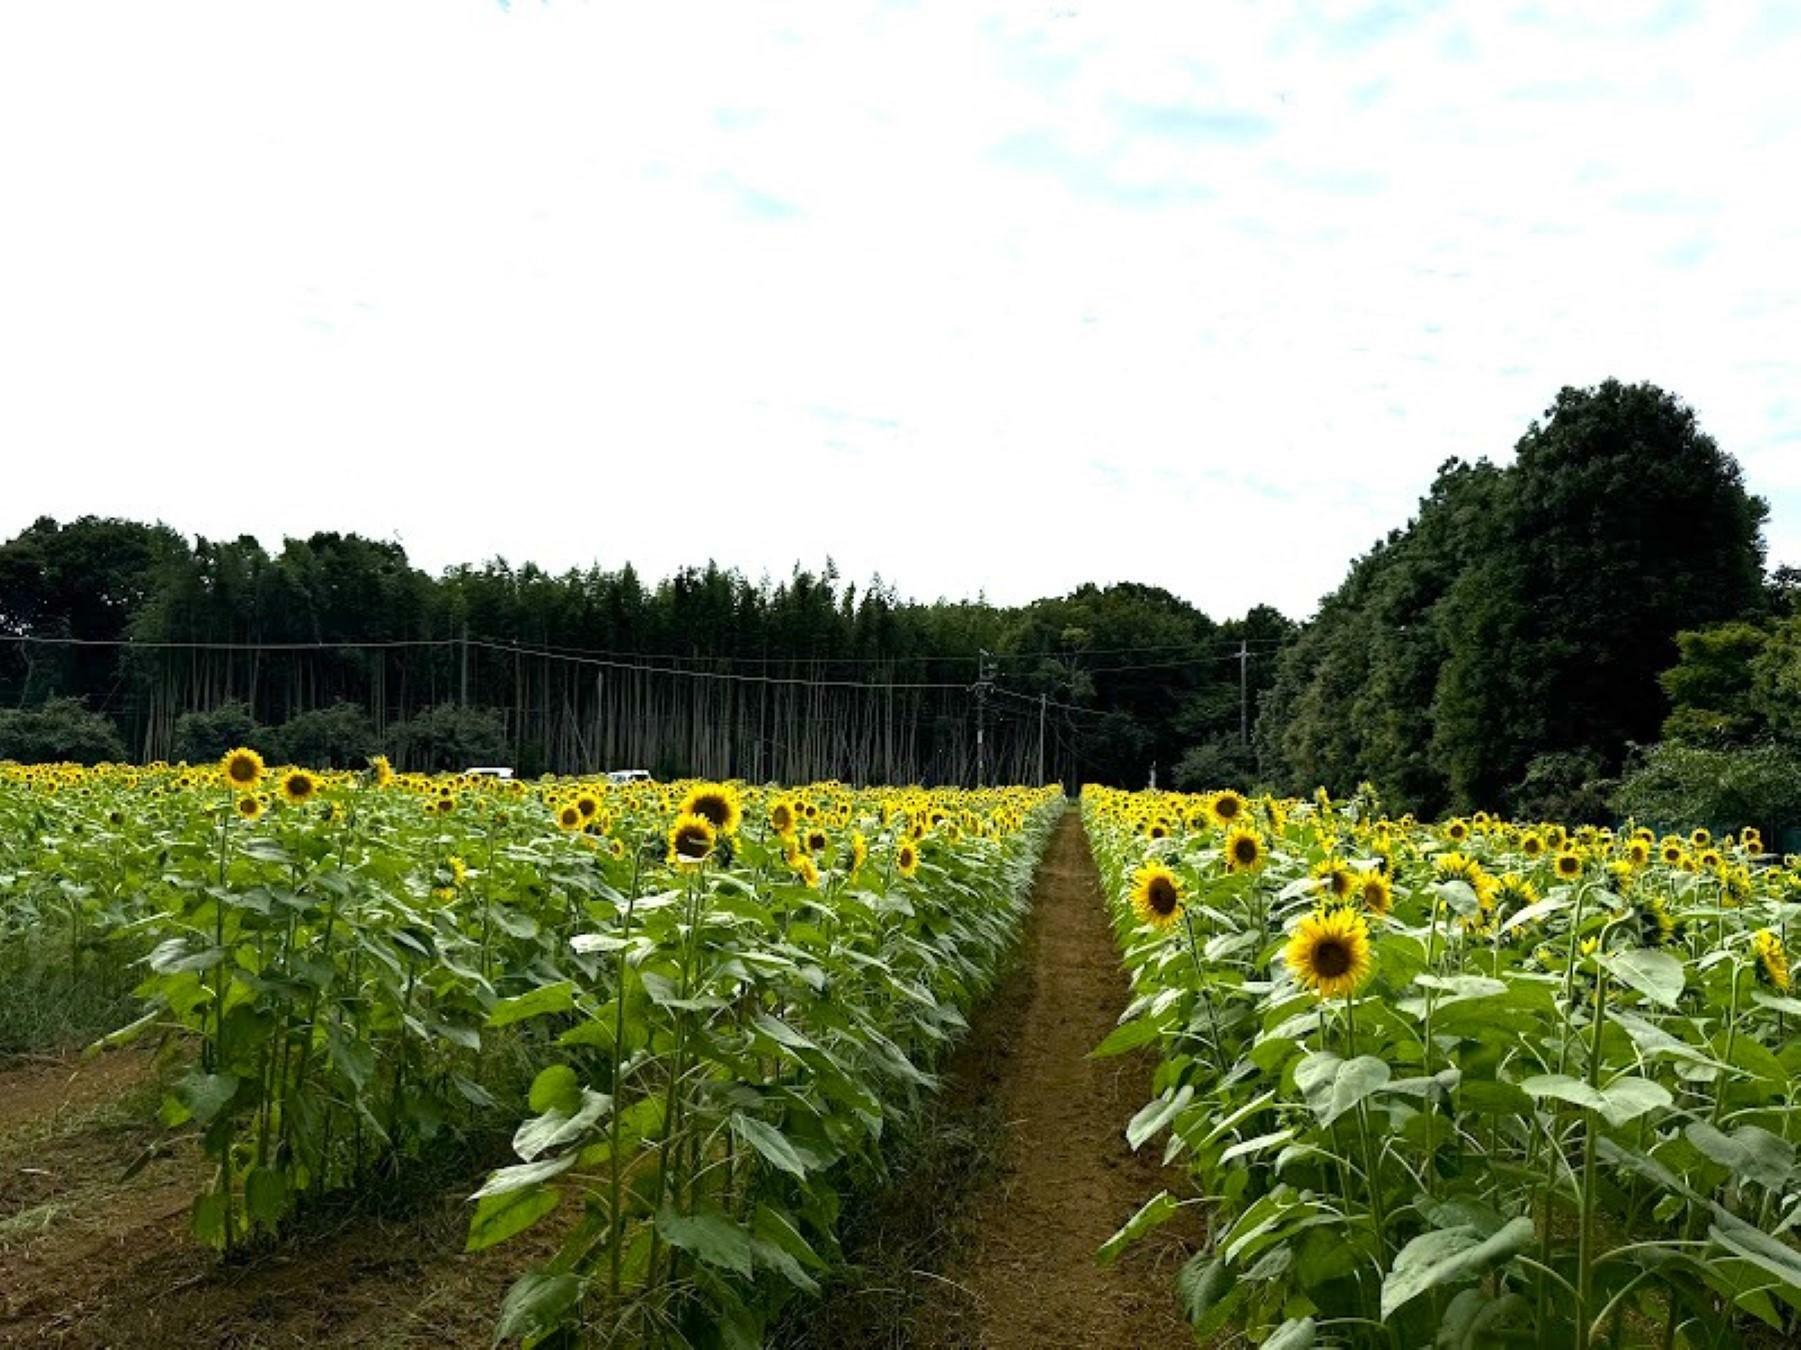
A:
(1559, 636)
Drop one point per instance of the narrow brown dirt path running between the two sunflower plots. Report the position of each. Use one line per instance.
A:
(1071, 1180)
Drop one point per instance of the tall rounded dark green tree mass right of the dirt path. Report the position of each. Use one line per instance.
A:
(1505, 651)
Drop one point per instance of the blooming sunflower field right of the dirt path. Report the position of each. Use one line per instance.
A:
(1469, 1084)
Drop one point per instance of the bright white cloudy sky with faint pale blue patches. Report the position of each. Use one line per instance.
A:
(977, 300)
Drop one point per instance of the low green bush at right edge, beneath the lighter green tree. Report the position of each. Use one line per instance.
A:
(1681, 787)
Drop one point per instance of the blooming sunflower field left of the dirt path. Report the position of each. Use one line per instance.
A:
(694, 1007)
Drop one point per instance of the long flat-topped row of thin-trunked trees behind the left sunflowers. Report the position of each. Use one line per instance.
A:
(338, 645)
